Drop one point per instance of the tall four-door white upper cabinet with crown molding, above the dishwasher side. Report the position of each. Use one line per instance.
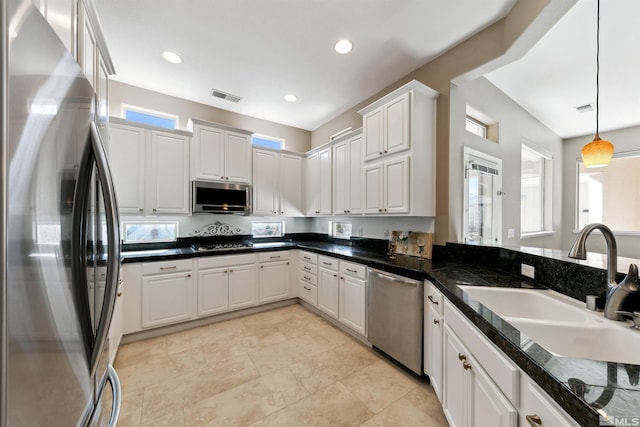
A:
(399, 134)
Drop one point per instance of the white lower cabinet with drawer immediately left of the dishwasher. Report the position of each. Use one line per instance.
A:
(352, 295)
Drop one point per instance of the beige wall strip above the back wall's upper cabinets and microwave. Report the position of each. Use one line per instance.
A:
(296, 139)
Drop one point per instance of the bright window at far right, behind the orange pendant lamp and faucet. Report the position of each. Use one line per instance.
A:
(601, 190)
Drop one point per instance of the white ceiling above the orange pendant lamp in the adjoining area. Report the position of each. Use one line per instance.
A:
(559, 72)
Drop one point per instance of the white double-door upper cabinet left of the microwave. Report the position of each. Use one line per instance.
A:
(150, 169)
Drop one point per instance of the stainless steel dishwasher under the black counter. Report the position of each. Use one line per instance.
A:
(395, 317)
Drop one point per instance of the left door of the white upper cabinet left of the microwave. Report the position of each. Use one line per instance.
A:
(127, 156)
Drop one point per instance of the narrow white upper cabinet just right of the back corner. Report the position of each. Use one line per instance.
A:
(318, 189)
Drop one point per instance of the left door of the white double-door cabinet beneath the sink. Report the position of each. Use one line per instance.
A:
(455, 386)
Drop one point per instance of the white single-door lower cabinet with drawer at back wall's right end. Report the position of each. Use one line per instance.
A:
(274, 276)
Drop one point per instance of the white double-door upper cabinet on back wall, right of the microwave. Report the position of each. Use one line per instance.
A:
(277, 183)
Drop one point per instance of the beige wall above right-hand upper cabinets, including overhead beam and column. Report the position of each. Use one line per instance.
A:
(501, 43)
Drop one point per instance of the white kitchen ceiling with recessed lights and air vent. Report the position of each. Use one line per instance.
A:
(262, 50)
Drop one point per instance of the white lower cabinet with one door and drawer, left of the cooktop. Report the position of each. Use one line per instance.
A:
(167, 293)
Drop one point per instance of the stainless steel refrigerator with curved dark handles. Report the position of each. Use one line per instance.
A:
(60, 243)
